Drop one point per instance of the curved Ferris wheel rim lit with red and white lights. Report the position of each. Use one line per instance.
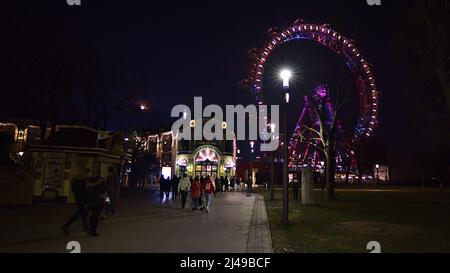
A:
(323, 34)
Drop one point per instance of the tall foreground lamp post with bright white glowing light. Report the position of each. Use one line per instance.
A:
(285, 76)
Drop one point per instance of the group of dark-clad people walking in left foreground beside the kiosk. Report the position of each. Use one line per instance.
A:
(94, 195)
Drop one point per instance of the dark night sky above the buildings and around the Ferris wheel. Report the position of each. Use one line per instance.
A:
(182, 49)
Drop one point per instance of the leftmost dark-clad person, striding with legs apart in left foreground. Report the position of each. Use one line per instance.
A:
(79, 191)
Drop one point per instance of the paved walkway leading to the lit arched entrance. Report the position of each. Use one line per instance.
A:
(236, 224)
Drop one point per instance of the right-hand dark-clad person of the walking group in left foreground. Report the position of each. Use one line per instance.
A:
(96, 189)
